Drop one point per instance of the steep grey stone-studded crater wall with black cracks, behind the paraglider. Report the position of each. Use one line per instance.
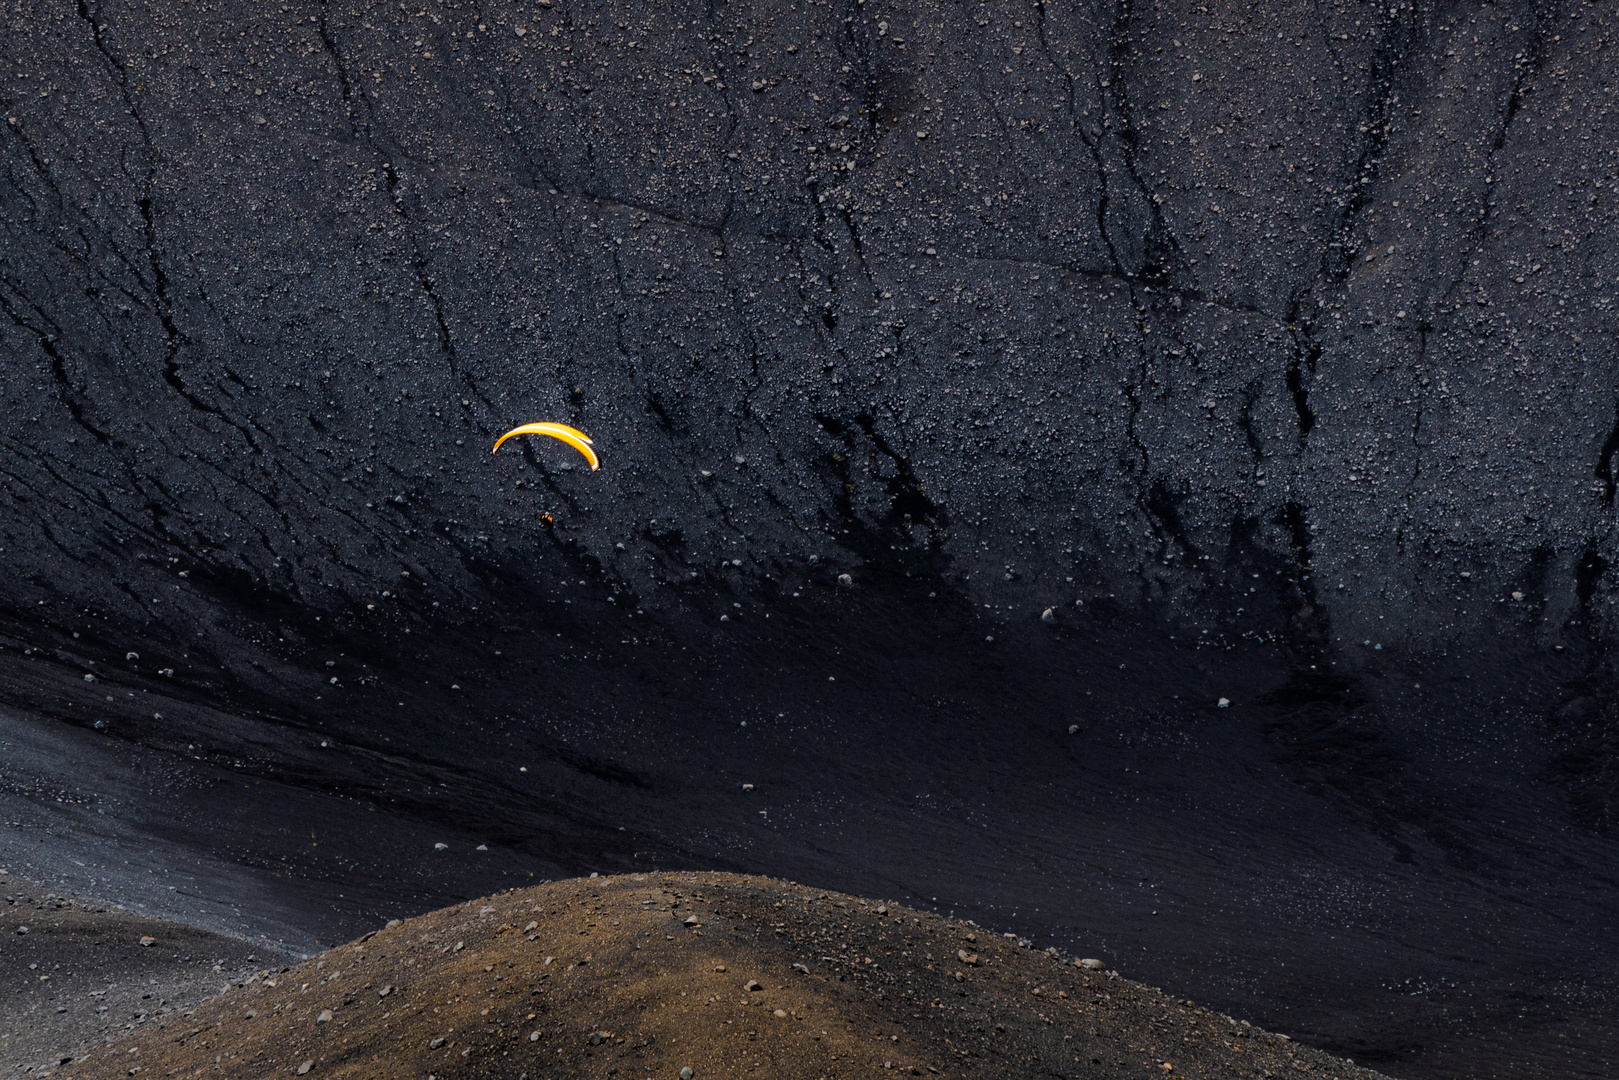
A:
(1286, 318)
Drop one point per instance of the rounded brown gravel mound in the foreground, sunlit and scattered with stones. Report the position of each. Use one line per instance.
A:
(720, 974)
